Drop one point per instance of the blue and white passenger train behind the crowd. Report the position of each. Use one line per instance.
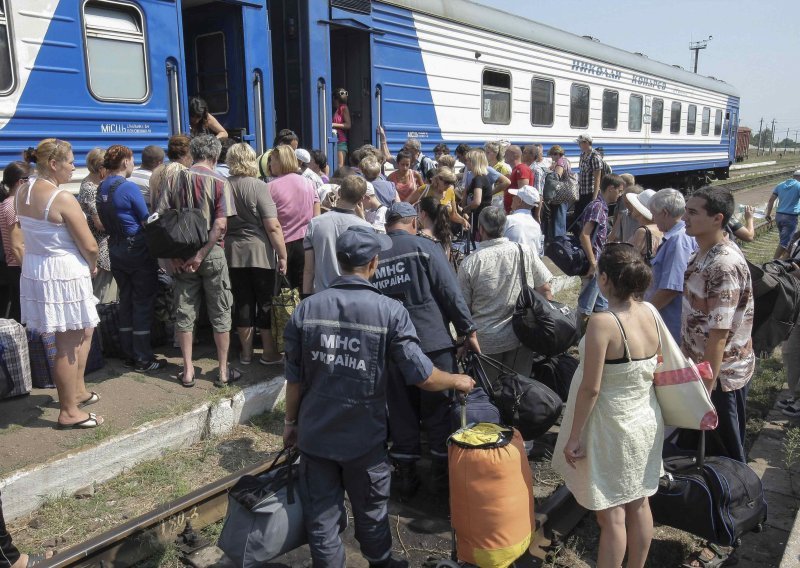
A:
(98, 72)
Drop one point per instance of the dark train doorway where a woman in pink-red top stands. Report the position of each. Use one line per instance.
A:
(351, 71)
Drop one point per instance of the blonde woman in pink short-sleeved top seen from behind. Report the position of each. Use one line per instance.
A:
(297, 202)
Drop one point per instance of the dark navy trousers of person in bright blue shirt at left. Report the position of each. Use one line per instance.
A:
(136, 273)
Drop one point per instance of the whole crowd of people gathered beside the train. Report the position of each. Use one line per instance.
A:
(383, 227)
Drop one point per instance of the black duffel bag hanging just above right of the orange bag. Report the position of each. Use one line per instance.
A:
(524, 403)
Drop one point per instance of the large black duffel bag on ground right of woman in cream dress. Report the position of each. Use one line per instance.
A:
(715, 498)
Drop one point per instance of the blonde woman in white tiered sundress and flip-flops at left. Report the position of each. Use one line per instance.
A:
(56, 284)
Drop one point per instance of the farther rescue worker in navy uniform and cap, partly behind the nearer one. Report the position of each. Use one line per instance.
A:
(416, 272)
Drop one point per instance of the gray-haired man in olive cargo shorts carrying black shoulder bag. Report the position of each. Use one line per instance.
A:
(204, 275)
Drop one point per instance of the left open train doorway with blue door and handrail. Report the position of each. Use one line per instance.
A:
(227, 59)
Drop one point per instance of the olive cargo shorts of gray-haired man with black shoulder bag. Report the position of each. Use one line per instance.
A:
(212, 280)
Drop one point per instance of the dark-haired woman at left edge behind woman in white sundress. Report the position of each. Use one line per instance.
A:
(15, 175)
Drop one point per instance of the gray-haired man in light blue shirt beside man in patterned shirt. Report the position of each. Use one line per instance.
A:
(672, 258)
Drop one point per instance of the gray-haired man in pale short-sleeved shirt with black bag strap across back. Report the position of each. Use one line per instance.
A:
(490, 279)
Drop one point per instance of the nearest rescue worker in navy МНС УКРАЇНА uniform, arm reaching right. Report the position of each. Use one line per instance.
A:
(339, 345)
